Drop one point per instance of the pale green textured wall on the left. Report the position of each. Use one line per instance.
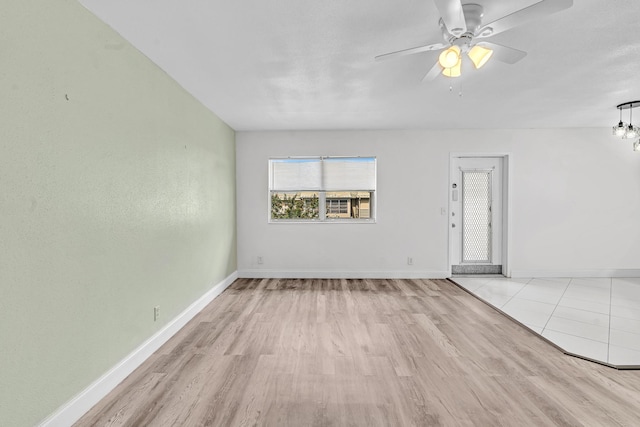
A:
(117, 194)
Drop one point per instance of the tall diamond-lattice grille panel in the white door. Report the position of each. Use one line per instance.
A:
(476, 216)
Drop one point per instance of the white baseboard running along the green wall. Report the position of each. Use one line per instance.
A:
(71, 412)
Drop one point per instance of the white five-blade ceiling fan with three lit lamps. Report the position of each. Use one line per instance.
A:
(463, 32)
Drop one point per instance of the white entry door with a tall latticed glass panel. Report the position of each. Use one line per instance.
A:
(476, 215)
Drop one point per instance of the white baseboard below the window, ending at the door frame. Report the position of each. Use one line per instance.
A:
(310, 274)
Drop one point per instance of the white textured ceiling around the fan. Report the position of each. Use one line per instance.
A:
(309, 64)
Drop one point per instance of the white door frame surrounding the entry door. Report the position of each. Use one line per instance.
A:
(506, 205)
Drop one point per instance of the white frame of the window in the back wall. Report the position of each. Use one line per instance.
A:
(322, 217)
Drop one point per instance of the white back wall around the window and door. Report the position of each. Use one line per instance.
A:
(575, 204)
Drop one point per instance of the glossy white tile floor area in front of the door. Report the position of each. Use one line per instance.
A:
(595, 318)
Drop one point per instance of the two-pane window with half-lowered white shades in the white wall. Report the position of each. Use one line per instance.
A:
(300, 186)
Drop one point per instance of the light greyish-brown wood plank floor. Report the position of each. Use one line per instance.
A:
(363, 353)
